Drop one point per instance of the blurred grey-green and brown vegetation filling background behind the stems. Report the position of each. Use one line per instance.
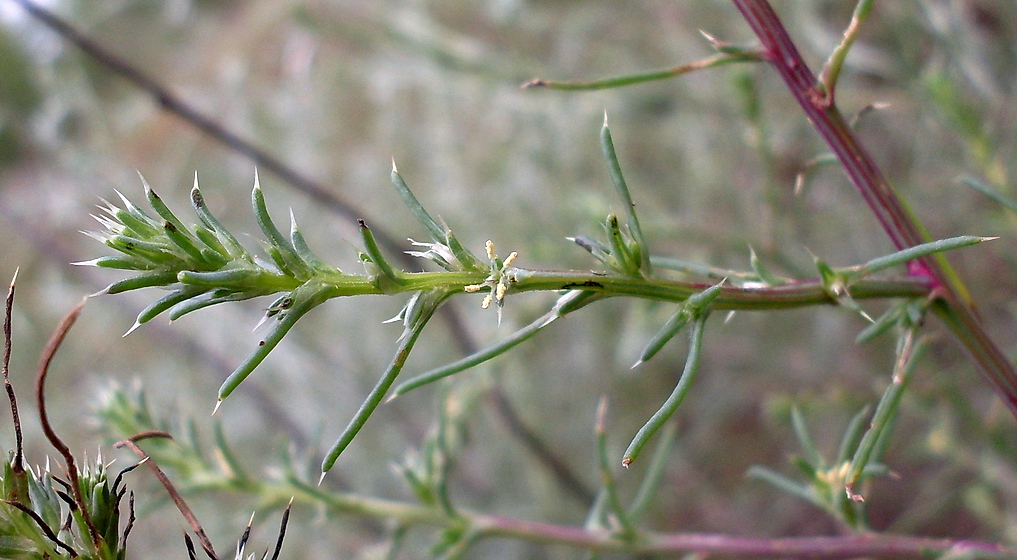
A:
(336, 90)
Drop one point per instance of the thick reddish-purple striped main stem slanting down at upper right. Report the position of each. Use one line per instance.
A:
(898, 221)
